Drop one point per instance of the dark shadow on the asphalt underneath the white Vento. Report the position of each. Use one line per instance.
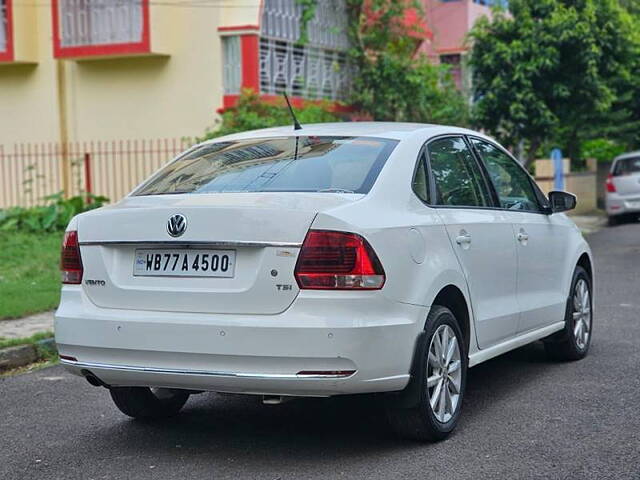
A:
(310, 428)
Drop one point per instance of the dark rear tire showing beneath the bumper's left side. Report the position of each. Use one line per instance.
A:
(148, 403)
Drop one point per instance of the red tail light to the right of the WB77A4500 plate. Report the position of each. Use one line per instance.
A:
(338, 261)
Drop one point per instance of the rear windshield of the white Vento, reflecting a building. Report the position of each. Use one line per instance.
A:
(284, 164)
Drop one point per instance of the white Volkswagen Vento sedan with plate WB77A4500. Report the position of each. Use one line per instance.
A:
(336, 259)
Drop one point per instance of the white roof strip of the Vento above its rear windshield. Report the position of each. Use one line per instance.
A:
(391, 130)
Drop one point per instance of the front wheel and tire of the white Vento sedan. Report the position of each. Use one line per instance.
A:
(573, 342)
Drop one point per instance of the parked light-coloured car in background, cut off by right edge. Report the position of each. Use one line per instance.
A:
(623, 188)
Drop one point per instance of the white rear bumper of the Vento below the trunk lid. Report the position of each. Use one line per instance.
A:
(363, 333)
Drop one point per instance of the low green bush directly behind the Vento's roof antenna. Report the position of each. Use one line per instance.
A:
(252, 113)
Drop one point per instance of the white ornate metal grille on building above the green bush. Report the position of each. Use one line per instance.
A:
(317, 69)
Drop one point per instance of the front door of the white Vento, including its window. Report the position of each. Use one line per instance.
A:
(541, 239)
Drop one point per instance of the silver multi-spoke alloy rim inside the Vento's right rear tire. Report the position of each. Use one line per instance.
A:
(444, 373)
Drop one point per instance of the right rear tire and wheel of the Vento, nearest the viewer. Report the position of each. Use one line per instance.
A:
(425, 420)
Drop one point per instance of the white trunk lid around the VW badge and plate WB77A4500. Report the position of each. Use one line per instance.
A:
(264, 230)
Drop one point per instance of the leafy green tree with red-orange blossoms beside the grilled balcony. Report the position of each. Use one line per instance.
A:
(394, 82)
